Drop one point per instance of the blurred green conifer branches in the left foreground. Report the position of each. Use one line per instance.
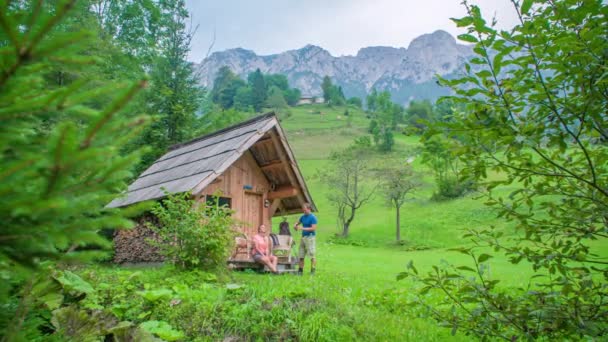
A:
(55, 176)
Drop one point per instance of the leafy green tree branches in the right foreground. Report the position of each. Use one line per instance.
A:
(536, 101)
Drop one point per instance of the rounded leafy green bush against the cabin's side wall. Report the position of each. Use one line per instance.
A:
(193, 234)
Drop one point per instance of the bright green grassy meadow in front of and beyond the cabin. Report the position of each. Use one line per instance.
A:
(354, 295)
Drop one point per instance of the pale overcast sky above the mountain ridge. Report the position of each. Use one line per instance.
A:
(340, 26)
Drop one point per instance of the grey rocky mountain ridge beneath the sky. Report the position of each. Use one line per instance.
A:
(407, 73)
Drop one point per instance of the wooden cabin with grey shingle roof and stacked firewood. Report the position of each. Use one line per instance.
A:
(250, 163)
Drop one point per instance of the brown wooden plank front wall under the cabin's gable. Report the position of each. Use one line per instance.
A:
(248, 204)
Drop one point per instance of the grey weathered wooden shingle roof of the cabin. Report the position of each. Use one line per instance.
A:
(193, 165)
